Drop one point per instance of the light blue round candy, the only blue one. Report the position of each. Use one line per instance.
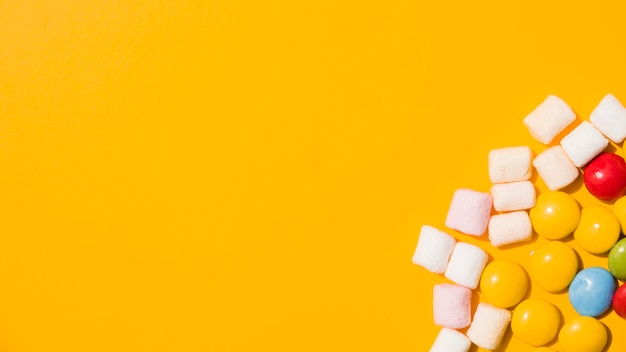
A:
(591, 291)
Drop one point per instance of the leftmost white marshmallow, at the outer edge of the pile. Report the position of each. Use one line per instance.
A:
(433, 249)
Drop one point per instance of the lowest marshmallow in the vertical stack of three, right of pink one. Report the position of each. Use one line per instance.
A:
(510, 228)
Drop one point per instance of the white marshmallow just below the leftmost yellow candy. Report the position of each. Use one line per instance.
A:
(488, 326)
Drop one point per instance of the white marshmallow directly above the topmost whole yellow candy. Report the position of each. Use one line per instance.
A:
(555, 168)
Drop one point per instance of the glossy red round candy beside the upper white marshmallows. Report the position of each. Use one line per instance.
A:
(605, 176)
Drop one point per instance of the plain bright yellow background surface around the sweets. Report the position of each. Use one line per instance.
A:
(252, 175)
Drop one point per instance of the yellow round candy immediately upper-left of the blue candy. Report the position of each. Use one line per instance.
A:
(553, 266)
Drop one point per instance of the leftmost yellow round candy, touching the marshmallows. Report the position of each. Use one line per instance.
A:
(504, 283)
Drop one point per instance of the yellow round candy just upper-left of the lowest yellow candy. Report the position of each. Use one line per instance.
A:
(536, 321)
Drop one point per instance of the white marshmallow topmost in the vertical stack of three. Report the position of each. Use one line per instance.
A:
(510, 164)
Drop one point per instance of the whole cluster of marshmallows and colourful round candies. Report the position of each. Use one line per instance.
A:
(554, 215)
